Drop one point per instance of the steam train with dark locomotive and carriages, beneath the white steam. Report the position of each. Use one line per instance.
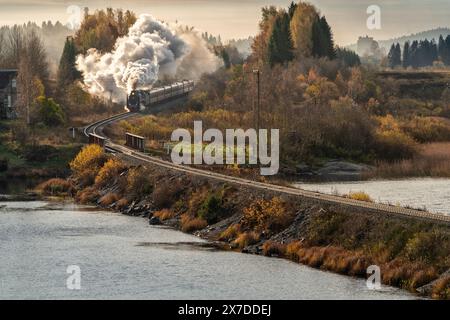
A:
(141, 99)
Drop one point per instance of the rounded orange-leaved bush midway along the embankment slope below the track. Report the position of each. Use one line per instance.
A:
(269, 216)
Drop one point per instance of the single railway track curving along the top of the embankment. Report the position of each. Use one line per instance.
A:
(96, 128)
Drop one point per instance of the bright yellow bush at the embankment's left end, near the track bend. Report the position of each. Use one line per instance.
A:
(88, 163)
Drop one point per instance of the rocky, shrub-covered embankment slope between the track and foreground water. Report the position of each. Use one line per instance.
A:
(411, 253)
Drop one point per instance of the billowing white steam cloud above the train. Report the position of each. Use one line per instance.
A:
(152, 50)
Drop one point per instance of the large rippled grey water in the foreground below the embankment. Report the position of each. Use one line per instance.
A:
(121, 257)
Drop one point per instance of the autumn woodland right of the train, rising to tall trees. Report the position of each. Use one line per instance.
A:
(326, 105)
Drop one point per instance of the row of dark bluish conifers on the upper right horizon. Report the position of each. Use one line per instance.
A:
(420, 54)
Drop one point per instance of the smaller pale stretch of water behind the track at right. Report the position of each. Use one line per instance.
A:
(426, 193)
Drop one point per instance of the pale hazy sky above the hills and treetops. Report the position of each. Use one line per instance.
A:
(239, 18)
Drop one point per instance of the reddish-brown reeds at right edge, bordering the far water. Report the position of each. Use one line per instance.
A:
(432, 160)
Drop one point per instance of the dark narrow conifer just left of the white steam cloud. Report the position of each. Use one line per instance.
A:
(67, 72)
